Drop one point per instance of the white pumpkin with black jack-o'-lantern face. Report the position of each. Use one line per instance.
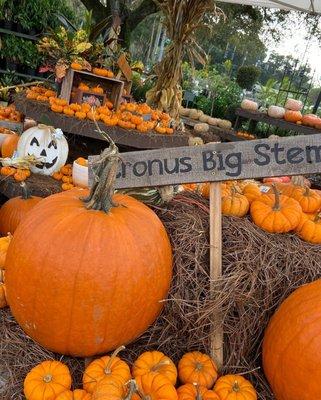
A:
(46, 143)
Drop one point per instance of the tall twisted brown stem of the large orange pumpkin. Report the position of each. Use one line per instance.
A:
(105, 170)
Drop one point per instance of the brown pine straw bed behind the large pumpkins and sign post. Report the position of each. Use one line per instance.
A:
(259, 271)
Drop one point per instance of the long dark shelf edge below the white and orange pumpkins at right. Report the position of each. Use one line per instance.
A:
(280, 123)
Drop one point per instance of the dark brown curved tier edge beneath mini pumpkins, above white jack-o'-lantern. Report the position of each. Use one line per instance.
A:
(131, 138)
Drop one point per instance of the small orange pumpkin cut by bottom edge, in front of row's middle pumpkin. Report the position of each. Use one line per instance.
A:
(155, 386)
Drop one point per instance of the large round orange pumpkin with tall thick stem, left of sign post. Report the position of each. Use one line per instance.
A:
(93, 273)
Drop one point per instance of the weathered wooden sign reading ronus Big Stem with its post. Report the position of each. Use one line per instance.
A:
(215, 163)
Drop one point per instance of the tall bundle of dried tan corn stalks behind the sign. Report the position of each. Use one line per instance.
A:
(182, 19)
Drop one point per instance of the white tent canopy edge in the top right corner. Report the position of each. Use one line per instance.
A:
(312, 6)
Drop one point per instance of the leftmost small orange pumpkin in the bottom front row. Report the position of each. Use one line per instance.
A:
(47, 380)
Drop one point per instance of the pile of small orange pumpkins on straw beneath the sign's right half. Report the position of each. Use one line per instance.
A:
(276, 208)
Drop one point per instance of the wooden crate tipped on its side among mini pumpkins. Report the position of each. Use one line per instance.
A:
(113, 87)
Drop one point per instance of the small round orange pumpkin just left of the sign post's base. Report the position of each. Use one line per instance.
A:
(199, 368)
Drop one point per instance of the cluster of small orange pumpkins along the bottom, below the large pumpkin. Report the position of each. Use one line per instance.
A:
(153, 376)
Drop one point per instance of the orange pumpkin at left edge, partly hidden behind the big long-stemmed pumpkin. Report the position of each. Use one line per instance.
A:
(14, 210)
